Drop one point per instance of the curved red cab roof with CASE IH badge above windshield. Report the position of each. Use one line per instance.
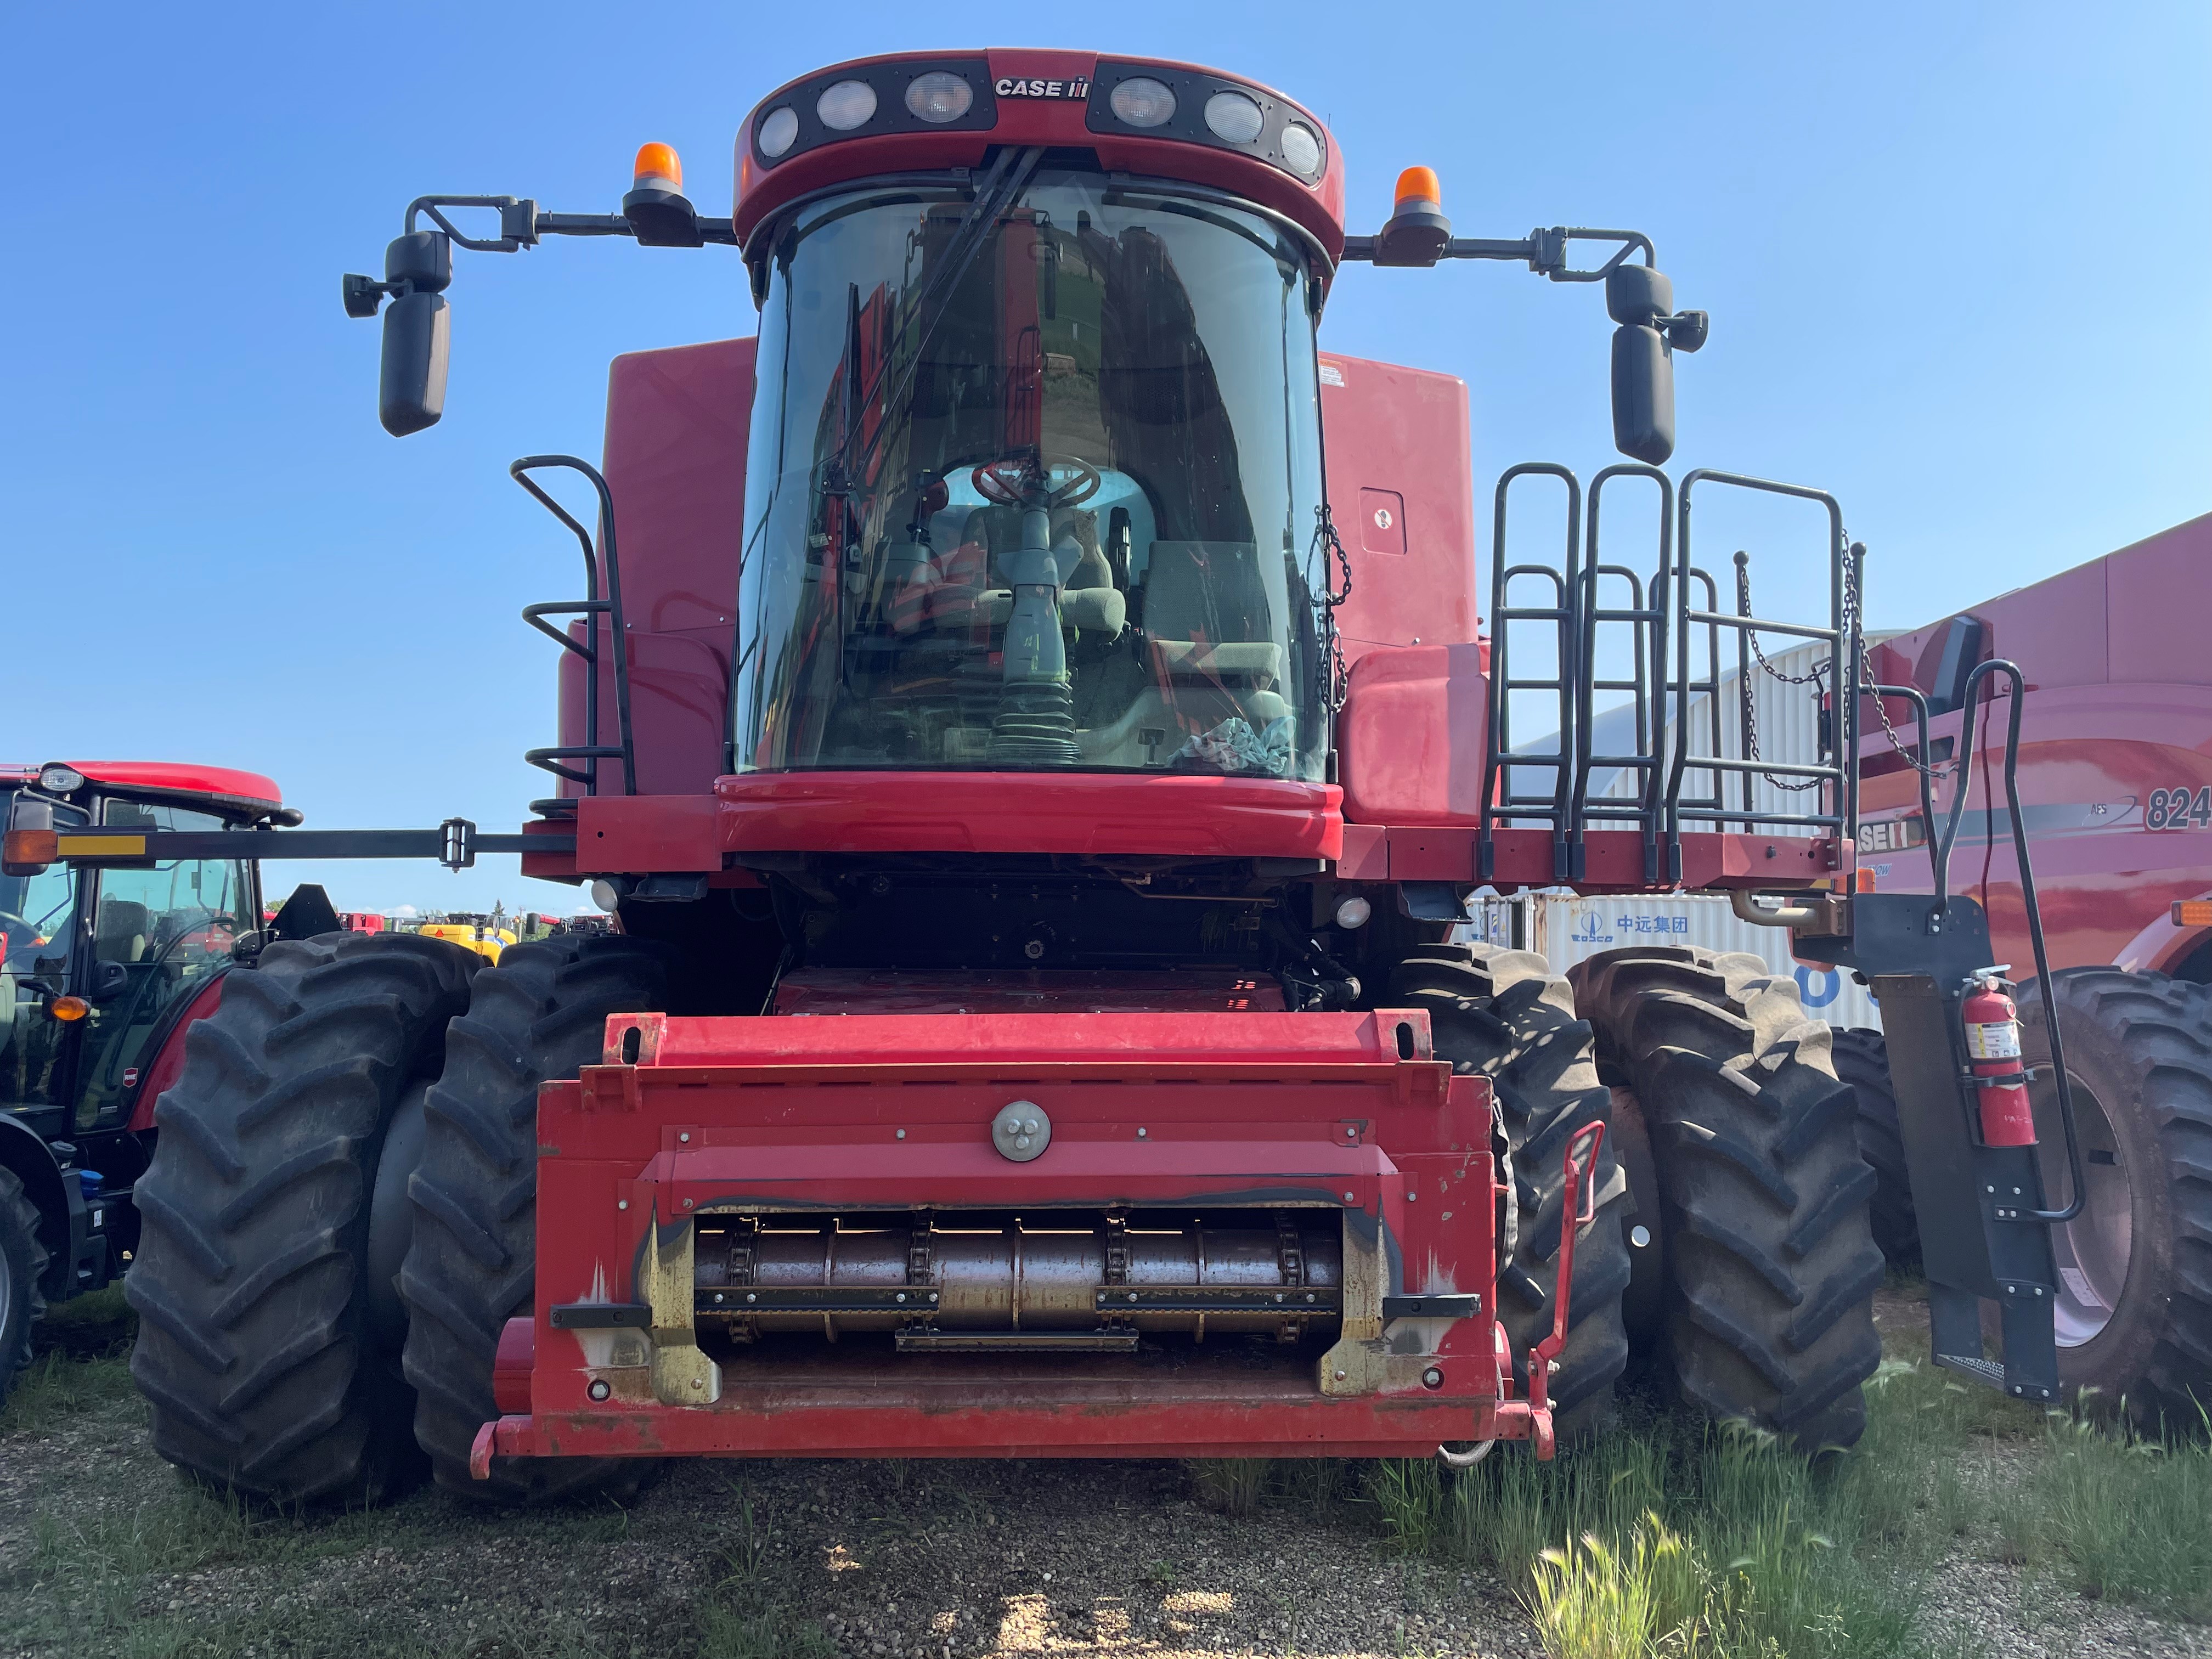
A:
(1041, 121)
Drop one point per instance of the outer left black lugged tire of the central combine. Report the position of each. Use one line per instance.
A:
(258, 1342)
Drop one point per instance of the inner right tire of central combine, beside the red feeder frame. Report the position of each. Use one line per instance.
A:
(1507, 1016)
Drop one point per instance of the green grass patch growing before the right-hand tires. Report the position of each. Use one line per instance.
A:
(1722, 1545)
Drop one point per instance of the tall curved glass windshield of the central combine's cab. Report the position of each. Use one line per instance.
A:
(1034, 488)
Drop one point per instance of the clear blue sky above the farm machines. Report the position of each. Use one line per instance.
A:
(1957, 260)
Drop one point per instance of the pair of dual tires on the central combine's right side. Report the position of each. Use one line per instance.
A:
(1731, 1253)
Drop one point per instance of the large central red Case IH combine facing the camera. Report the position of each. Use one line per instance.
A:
(1039, 782)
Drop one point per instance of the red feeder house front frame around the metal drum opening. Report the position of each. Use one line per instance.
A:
(1344, 1114)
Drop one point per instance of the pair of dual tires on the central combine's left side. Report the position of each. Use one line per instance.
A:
(362, 1100)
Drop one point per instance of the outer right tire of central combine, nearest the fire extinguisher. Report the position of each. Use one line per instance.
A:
(1771, 1266)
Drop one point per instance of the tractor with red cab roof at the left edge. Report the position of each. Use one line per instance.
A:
(101, 977)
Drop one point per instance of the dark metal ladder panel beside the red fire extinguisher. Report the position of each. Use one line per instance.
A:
(1974, 1202)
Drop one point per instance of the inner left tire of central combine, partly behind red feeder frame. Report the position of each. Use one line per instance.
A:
(472, 1262)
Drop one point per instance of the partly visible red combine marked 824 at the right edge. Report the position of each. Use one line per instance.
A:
(2116, 778)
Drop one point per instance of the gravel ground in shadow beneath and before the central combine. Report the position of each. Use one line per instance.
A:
(105, 1552)
